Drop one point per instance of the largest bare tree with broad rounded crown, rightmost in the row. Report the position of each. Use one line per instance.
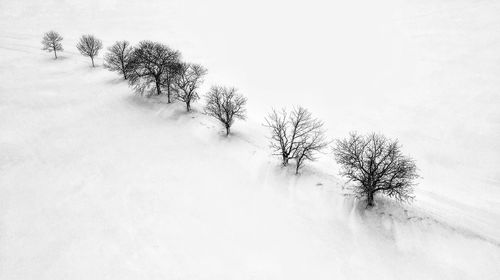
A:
(375, 164)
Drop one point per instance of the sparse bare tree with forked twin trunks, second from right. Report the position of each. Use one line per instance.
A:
(295, 135)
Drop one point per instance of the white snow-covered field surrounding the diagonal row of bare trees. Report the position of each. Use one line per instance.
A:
(97, 183)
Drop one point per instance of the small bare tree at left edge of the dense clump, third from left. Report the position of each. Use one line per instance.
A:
(118, 58)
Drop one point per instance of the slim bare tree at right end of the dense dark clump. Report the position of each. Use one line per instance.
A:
(188, 81)
